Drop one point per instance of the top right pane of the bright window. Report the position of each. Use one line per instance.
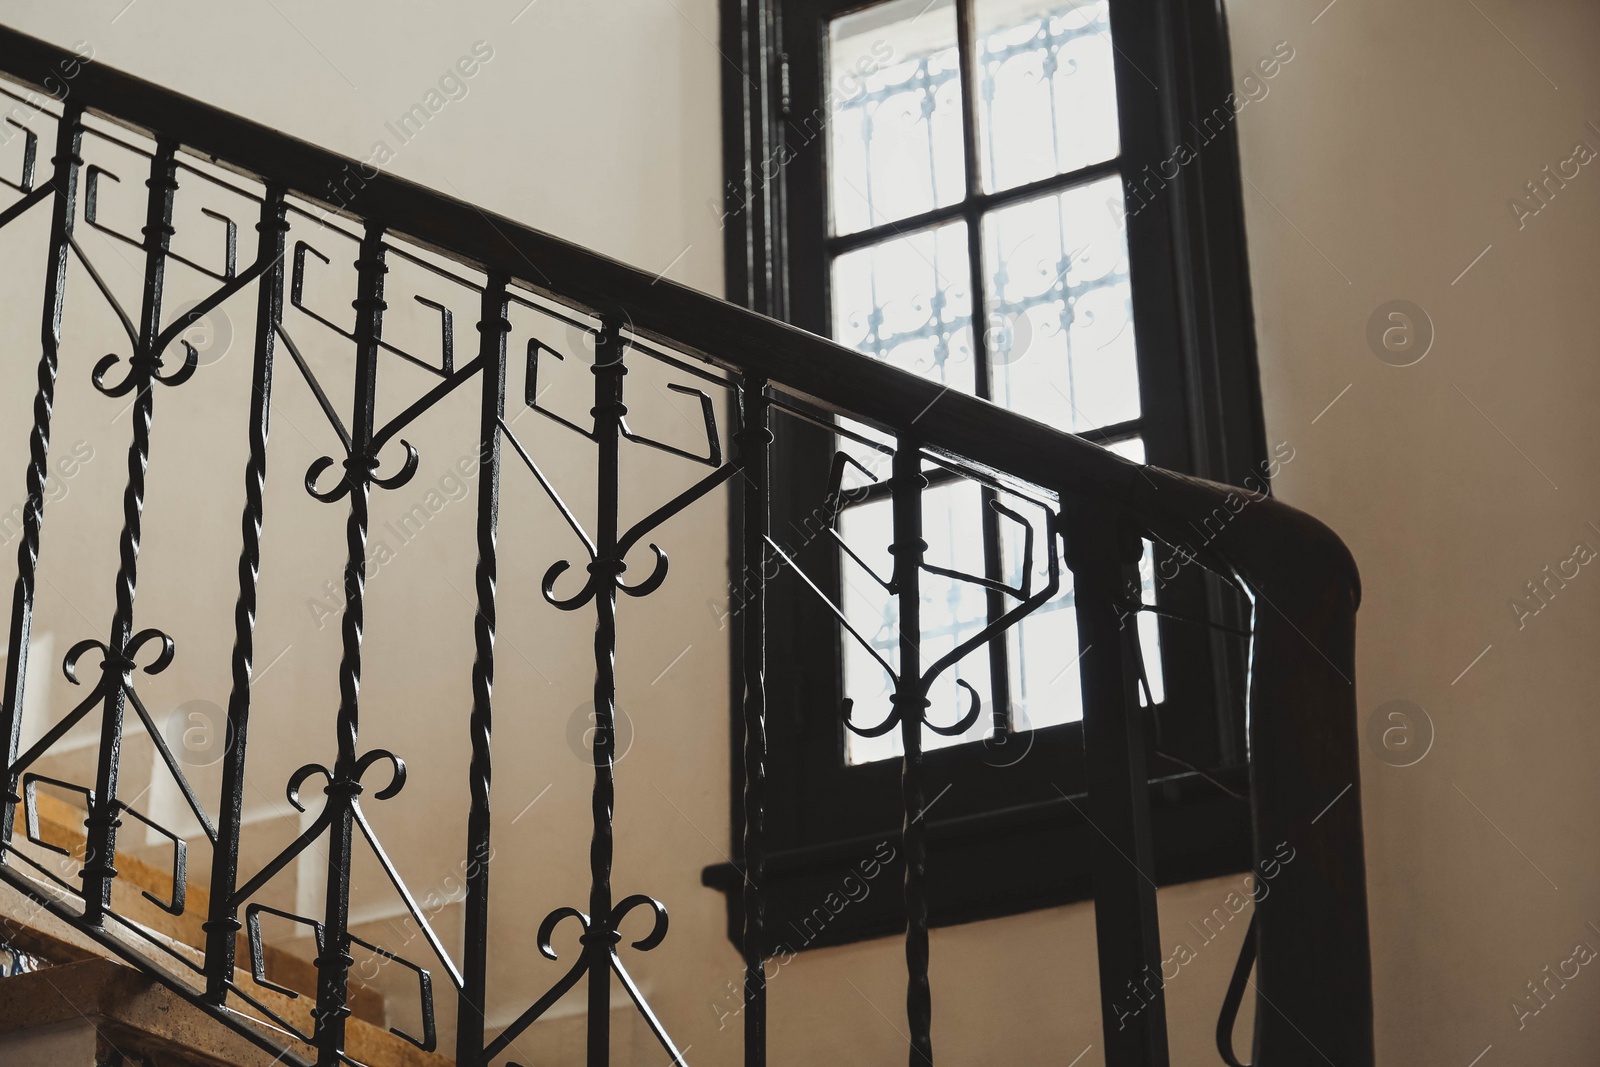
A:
(1047, 90)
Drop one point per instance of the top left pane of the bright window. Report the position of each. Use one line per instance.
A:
(895, 114)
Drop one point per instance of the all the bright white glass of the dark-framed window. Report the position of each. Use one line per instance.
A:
(1055, 310)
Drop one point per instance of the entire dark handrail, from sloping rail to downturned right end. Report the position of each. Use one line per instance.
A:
(1311, 930)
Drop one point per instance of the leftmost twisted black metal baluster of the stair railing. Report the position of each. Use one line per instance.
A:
(70, 137)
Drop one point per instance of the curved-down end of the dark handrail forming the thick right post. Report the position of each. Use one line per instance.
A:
(1314, 970)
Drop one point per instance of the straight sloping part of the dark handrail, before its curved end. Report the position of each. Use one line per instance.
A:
(830, 375)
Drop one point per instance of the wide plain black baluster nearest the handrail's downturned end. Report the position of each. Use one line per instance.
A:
(1134, 1012)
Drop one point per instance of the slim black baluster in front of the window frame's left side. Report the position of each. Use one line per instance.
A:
(754, 455)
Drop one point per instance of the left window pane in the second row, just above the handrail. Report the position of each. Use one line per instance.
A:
(908, 302)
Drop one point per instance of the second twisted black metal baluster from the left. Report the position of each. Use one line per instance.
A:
(102, 826)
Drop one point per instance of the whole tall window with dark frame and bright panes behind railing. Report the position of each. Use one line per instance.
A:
(946, 186)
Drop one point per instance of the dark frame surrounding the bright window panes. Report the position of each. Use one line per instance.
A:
(1010, 839)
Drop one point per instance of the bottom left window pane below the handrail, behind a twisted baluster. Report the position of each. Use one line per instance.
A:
(951, 613)
